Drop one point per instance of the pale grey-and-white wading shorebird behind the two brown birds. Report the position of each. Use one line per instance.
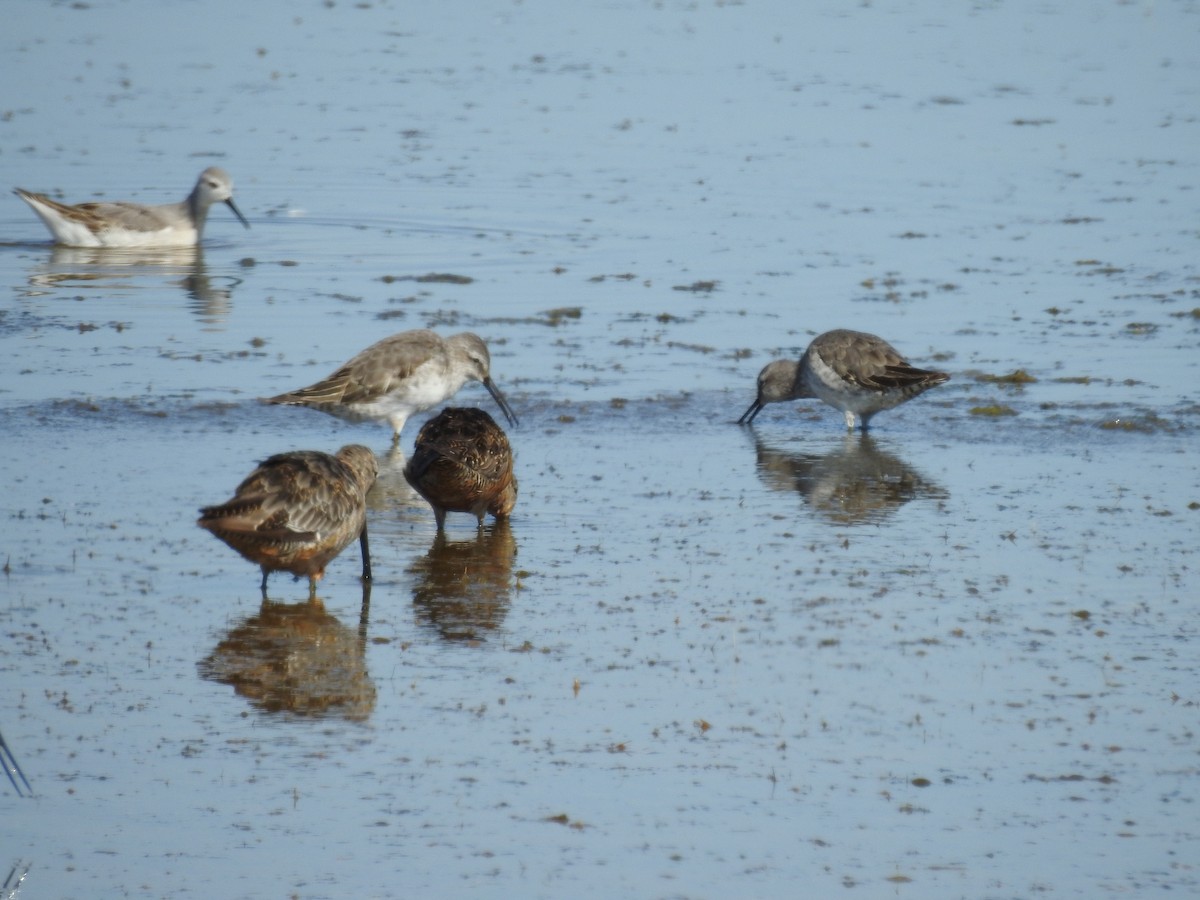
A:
(400, 376)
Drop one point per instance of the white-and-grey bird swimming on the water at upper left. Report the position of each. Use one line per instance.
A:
(133, 225)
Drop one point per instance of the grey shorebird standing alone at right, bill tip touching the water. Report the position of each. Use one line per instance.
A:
(851, 371)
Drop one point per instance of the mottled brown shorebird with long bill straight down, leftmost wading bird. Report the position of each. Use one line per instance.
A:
(298, 511)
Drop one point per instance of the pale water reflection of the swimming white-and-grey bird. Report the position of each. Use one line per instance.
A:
(118, 268)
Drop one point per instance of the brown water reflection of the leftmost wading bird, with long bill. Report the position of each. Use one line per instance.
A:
(297, 658)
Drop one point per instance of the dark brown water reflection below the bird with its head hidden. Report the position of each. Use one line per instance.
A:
(464, 589)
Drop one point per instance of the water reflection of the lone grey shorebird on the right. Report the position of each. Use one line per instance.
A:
(857, 483)
